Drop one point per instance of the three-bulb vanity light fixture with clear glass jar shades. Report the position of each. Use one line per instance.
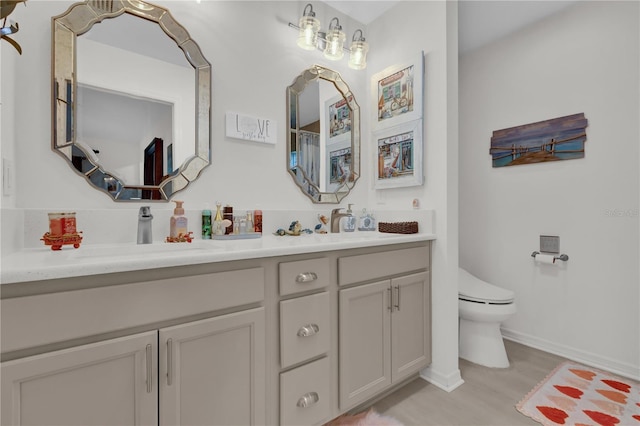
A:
(331, 43)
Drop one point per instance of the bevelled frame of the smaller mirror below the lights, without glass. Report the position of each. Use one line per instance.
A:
(315, 73)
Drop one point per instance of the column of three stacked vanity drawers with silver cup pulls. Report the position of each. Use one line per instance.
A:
(305, 342)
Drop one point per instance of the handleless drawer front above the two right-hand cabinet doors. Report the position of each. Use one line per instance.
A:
(365, 267)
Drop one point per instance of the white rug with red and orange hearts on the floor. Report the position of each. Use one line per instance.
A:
(577, 395)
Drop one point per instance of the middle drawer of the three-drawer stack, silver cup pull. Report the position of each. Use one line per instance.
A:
(304, 328)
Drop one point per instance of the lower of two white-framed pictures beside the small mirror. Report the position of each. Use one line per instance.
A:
(399, 156)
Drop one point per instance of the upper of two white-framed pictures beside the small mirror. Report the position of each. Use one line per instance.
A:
(397, 93)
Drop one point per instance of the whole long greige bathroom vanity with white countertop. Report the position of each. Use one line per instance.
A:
(278, 330)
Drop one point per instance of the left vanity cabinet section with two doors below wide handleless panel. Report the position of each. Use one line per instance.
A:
(186, 350)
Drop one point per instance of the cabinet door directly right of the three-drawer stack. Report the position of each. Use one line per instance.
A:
(365, 366)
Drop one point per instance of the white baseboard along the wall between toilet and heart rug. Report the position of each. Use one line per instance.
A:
(587, 358)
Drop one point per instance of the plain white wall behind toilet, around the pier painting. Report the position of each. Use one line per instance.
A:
(584, 59)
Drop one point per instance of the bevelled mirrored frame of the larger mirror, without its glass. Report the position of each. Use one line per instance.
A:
(77, 20)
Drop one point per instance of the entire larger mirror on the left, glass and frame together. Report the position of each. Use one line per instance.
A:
(124, 99)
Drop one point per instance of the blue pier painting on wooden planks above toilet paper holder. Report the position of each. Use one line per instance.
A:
(551, 140)
